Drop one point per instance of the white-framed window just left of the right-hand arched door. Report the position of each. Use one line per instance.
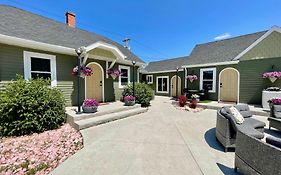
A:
(208, 79)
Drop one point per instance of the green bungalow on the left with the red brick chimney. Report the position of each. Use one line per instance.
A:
(35, 46)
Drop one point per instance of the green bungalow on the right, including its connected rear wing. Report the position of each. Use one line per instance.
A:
(231, 69)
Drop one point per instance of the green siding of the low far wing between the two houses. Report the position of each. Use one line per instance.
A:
(170, 74)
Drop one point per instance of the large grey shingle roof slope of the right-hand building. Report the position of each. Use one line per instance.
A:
(222, 51)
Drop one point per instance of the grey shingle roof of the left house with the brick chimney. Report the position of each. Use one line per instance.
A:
(26, 25)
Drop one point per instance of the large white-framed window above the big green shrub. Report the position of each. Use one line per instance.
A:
(38, 65)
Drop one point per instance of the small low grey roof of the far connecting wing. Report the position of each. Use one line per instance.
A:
(165, 65)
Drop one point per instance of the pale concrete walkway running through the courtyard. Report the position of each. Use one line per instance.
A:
(165, 140)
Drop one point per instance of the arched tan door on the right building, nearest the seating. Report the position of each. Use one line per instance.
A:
(229, 85)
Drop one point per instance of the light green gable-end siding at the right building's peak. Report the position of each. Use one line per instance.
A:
(270, 47)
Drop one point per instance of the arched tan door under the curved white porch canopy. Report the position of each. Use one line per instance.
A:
(94, 83)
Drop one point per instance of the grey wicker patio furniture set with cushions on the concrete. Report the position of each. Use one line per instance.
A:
(252, 154)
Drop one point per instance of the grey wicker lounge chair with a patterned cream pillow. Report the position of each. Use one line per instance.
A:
(226, 127)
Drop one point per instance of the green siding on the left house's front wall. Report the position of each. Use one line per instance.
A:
(11, 63)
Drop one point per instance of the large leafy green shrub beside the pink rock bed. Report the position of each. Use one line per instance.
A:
(30, 106)
